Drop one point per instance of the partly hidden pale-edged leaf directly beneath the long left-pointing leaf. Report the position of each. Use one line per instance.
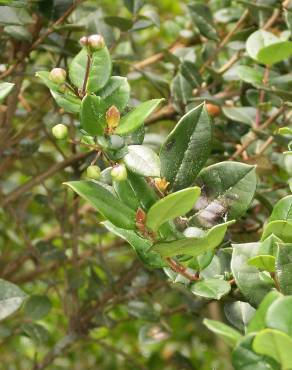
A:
(140, 245)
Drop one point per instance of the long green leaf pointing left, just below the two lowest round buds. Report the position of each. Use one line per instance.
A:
(105, 202)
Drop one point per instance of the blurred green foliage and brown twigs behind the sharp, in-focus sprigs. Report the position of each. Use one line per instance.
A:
(136, 318)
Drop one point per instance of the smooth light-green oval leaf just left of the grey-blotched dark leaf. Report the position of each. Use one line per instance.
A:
(172, 206)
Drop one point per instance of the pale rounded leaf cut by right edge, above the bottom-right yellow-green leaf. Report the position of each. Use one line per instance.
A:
(279, 315)
